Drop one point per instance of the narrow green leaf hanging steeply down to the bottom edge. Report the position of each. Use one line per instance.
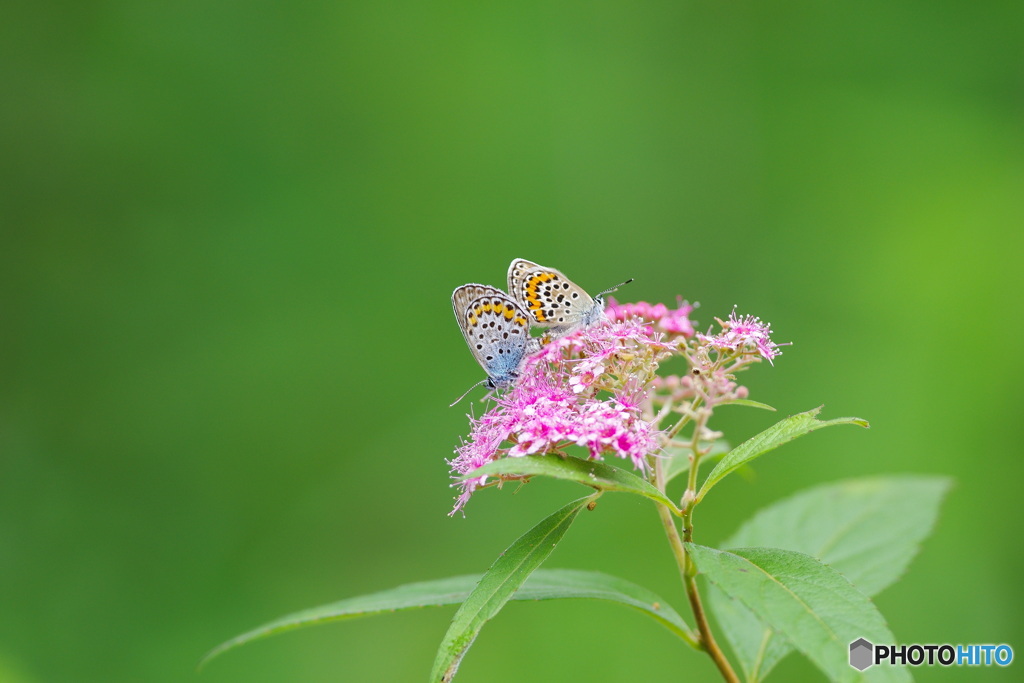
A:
(499, 584)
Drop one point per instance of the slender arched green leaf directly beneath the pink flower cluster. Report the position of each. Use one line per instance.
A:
(587, 473)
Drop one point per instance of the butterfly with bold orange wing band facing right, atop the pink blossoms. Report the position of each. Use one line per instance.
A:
(552, 301)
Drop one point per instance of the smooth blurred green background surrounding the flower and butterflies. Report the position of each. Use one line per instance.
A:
(230, 236)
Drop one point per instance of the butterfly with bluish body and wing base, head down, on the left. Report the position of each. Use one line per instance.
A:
(497, 331)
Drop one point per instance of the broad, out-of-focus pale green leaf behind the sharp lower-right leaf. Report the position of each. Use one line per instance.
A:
(868, 530)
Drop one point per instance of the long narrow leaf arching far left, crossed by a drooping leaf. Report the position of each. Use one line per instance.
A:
(542, 585)
